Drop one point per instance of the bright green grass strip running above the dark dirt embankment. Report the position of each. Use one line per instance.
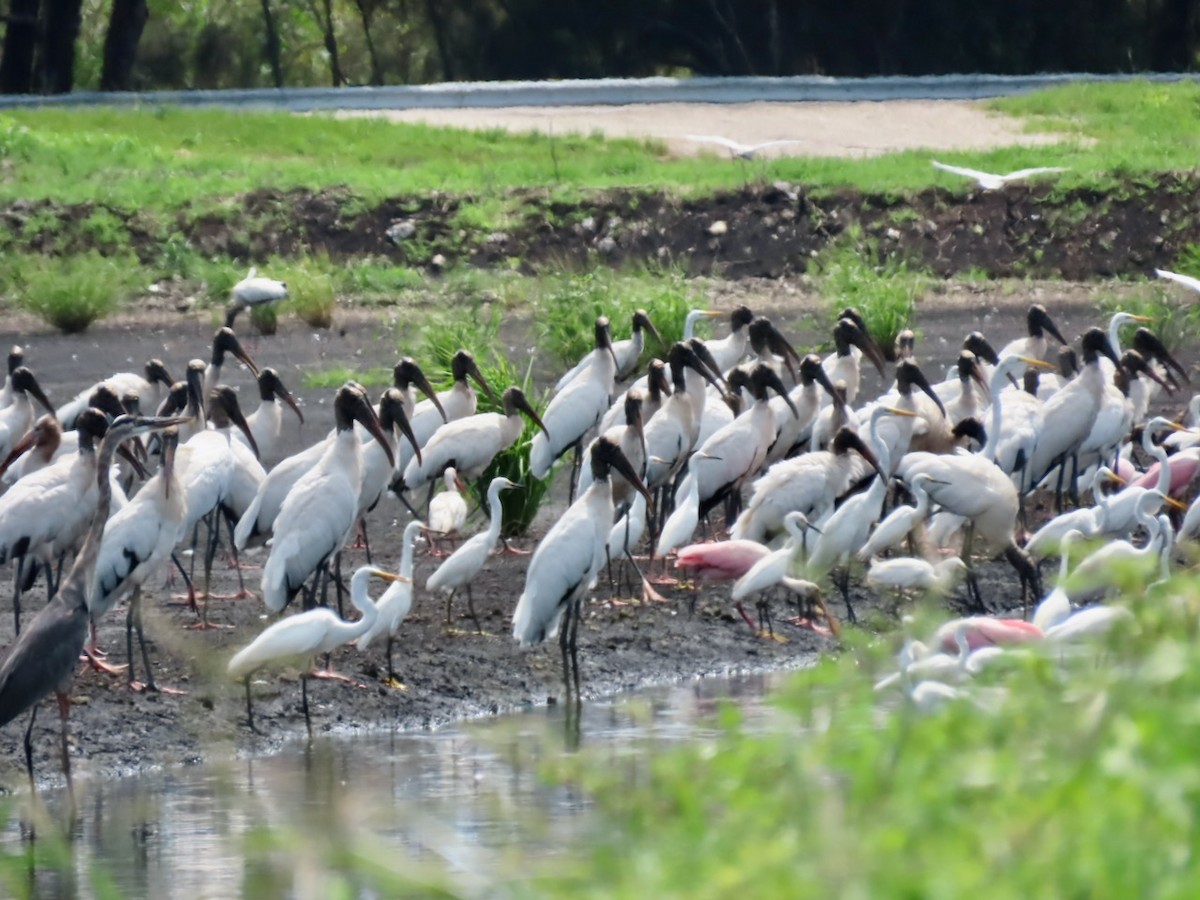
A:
(160, 160)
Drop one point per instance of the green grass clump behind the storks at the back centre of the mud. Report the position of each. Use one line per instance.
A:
(568, 307)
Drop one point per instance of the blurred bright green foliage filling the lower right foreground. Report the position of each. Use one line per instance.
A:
(1064, 773)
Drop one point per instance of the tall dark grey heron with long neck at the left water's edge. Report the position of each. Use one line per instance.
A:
(45, 657)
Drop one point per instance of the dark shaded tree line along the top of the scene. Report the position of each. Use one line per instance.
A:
(58, 46)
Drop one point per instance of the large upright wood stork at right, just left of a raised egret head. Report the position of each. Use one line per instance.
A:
(1069, 415)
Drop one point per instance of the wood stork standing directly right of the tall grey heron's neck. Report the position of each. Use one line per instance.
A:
(137, 544)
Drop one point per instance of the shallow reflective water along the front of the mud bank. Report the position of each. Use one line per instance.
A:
(460, 808)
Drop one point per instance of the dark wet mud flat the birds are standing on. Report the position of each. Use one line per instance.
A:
(448, 674)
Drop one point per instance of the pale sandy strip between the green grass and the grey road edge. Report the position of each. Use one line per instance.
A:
(819, 129)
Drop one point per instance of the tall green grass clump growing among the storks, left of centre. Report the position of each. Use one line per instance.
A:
(478, 331)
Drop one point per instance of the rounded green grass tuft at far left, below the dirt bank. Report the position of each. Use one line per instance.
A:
(69, 293)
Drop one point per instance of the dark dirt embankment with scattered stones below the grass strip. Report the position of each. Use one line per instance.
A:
(761, 231)
